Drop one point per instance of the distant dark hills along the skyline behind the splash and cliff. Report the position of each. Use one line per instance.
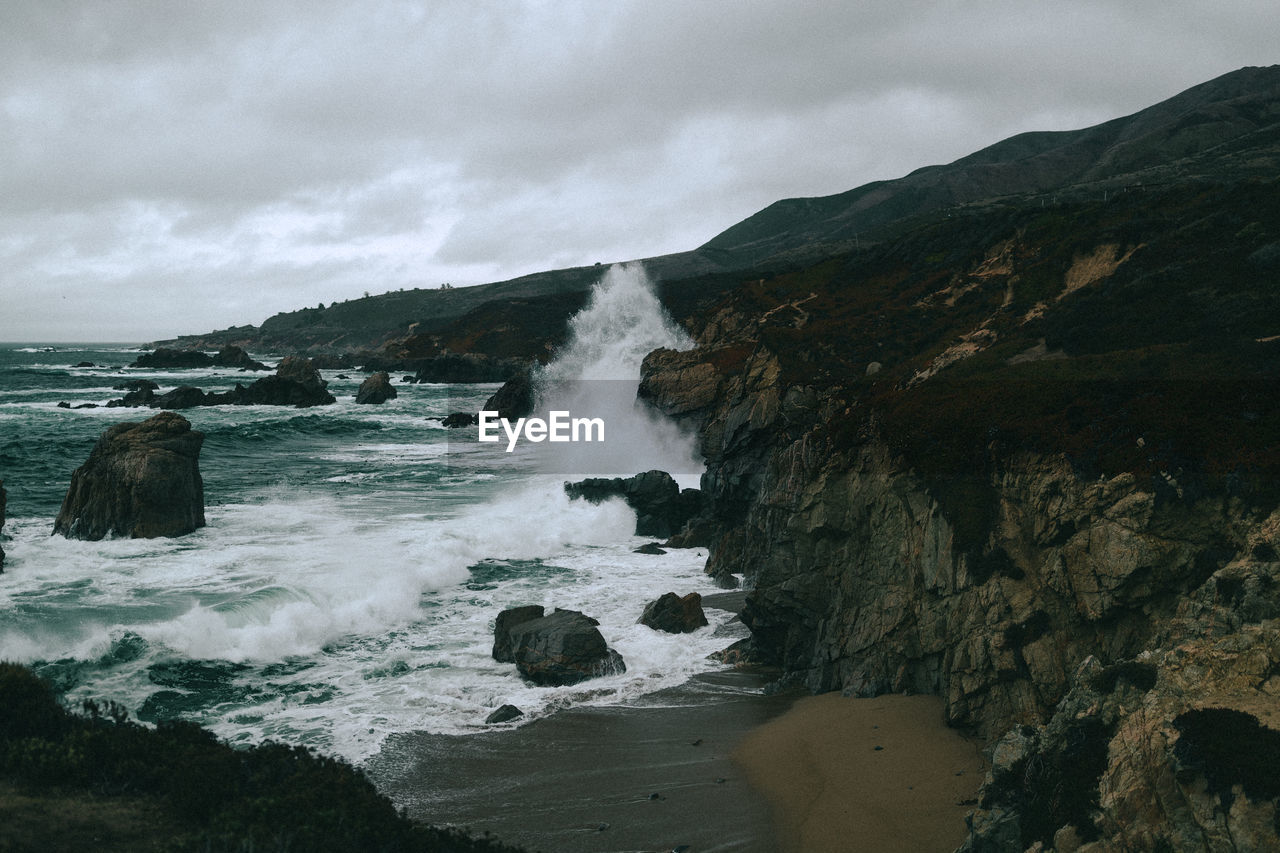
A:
(1222, 131)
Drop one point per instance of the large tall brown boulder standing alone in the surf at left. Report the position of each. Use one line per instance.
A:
(141, 481)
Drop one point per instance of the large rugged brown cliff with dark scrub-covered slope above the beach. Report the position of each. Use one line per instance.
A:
(1025, 459)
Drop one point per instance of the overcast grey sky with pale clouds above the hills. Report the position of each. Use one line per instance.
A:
(173, 167)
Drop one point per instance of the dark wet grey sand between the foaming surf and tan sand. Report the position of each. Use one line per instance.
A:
(596, 781)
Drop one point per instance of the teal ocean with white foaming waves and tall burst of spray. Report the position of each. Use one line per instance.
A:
(355, 558)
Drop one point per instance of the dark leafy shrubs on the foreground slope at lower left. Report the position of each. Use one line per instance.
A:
(207, 795)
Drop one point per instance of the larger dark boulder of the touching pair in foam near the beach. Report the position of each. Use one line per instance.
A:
(563, 649)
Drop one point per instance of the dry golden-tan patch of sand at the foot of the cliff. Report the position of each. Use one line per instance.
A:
(879, 776)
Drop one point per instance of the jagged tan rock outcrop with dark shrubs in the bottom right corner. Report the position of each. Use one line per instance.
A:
(1176, 750)
